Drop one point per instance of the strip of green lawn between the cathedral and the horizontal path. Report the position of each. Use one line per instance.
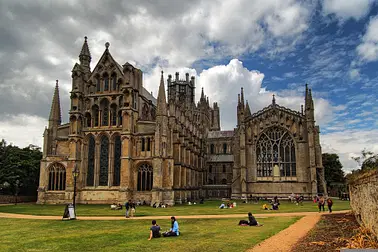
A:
(210, 207)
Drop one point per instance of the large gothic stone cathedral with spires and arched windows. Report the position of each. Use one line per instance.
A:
(125, 144)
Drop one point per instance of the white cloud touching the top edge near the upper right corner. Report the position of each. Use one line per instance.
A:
(345, 9)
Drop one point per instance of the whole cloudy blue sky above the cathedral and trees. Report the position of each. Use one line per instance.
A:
(266, 46)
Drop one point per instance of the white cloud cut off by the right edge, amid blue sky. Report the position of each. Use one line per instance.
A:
(368, 49)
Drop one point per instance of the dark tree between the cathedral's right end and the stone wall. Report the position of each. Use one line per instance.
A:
(333, 169)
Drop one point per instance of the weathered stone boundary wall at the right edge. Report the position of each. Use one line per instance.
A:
(363, 190)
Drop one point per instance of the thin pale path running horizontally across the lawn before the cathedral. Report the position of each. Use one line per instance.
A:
(44, 217)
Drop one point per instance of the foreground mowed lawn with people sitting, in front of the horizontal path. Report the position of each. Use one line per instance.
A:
(132, 235)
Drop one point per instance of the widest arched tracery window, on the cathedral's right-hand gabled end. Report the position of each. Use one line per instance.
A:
(275, 148)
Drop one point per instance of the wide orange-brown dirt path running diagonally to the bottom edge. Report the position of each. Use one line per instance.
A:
(287, 238)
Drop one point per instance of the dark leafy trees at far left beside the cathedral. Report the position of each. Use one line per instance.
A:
(19, 169)
